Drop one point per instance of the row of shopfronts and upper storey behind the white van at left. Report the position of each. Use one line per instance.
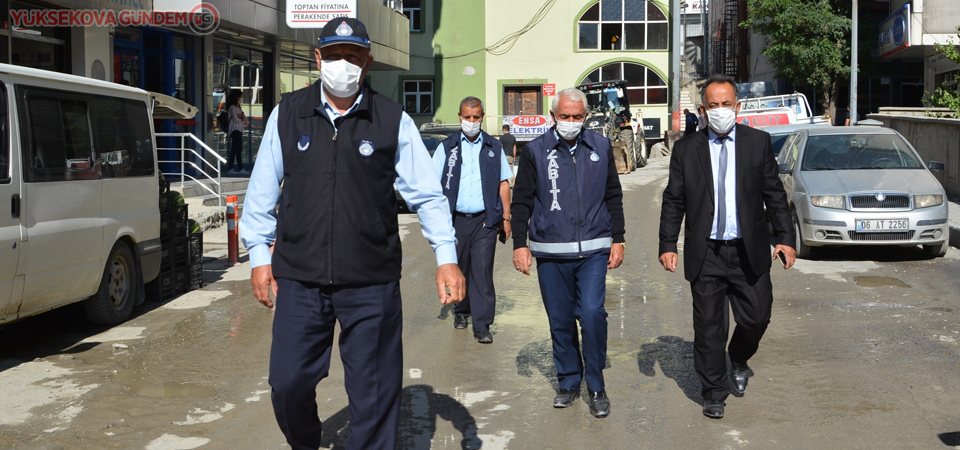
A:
(252, 50)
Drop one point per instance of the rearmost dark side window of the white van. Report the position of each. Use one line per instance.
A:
(122, 137)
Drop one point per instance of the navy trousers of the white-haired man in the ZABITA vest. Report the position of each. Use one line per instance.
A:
(574, 290)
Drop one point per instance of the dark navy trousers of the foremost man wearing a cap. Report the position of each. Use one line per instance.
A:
(370, 348)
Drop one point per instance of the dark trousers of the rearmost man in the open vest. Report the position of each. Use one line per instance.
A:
(476, 245)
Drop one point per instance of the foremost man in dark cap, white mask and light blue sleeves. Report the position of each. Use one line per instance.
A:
(335, 243)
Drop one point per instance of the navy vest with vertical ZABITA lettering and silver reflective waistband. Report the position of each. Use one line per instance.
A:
(570, 217)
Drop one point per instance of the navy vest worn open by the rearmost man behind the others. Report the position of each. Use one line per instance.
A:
(489, 175)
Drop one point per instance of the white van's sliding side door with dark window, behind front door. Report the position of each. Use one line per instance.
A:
(62, 198)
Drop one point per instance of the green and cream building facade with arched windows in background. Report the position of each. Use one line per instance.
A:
(516, 55)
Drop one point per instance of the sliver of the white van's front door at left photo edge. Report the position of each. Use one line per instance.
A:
(10, 242)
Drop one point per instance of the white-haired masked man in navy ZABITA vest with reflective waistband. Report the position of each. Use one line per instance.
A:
(568, 189)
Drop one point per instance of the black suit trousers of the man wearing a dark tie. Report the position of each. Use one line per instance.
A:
(725, 279)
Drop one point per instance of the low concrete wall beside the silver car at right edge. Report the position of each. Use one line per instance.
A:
(936, 139)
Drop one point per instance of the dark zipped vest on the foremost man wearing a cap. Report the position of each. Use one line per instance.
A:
(337, 218)
